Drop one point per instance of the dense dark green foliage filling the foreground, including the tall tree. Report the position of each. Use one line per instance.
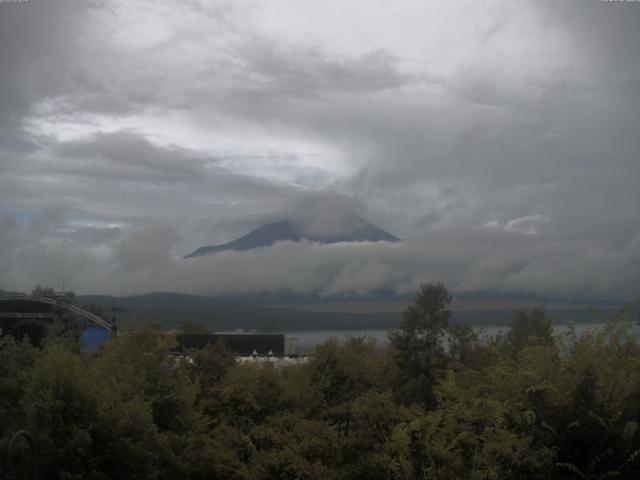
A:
(519, 406)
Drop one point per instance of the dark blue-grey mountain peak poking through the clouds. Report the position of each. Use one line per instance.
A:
(351, 229)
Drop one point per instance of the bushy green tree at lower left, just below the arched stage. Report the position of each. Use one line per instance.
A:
(84, 426)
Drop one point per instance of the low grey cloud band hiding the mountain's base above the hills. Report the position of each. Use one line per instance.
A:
(110, 260)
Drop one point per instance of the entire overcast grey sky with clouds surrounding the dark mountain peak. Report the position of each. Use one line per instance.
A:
(499, 139)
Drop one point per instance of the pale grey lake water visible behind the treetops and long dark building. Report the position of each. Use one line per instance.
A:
(307, 339)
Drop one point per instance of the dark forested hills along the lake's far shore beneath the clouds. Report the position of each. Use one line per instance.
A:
(171, 309)
